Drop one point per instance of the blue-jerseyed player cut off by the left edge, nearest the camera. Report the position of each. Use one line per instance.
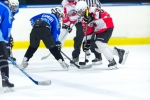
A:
(5, 27)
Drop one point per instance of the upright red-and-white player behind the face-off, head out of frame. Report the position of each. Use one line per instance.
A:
(71, 18)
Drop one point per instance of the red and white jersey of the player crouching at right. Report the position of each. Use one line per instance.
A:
(102, 21)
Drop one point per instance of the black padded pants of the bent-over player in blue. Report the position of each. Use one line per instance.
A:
(41, 32)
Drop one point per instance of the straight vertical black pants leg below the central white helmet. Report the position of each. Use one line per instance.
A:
(78, 40)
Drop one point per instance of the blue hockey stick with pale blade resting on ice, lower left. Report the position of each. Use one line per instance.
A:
(43, 83)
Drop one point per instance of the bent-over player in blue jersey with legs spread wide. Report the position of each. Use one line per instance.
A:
(46, 27)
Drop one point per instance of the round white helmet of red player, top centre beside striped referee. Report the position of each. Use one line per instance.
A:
(81, 6)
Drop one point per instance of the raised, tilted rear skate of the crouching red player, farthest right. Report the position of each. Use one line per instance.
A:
(122, 55)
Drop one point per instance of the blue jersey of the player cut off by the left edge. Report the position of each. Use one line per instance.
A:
(5, 22)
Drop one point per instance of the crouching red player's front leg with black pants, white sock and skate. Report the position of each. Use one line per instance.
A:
(101, 42)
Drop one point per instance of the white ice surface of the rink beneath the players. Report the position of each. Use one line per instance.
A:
(130, 82)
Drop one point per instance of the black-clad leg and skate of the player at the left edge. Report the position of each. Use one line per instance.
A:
(4, 68)
